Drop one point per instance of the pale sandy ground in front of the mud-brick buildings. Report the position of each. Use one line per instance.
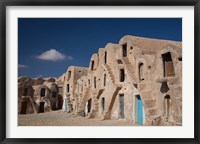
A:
(59, 118)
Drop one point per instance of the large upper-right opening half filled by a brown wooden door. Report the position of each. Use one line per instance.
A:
(168, 68)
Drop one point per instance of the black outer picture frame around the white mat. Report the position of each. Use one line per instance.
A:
(4, 3)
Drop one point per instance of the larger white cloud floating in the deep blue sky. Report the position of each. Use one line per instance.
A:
(53, 55)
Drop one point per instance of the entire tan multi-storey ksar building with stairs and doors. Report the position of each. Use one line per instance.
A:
(139, 79)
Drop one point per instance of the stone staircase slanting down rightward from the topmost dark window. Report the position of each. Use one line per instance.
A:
(130, 69)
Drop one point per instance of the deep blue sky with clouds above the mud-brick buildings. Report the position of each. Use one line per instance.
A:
(48, 46)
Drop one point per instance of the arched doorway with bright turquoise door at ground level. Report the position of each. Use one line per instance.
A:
(138, 110)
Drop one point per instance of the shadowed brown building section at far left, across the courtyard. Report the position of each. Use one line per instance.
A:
(38, 95)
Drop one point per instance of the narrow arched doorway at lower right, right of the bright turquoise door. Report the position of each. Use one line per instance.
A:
(167, 107)
